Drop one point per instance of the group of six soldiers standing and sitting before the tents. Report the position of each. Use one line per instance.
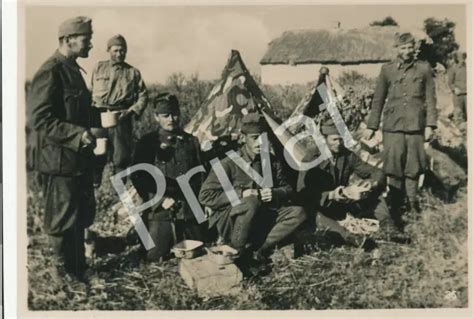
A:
(66, 121)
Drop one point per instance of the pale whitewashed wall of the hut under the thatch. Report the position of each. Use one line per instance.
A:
(304, 73)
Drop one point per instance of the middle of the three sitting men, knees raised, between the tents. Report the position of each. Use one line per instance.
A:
(263, 218)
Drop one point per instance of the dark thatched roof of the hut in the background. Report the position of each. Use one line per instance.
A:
(336, 46)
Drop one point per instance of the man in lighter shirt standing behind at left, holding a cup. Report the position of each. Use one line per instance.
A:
(118, 86)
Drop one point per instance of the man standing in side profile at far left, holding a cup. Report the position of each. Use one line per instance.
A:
(59, 108)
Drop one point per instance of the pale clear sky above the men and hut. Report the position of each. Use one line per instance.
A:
(163, 40)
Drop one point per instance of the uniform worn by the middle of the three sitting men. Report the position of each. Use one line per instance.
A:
(252, 222)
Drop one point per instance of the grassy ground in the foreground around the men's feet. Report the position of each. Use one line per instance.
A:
(429, 272)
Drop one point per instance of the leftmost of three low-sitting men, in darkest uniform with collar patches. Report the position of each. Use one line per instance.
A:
(174, 152)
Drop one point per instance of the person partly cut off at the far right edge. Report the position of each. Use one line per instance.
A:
(457, 84)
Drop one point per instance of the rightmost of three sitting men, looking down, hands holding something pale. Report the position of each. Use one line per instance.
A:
(327, 190)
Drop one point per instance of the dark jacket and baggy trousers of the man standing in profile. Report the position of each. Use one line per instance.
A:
(59, 111)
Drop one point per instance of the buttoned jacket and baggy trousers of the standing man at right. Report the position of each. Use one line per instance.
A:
(406, 100)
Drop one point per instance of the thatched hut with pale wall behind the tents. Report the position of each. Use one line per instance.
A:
(361, 50)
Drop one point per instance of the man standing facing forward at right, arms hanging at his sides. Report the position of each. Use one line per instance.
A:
(405, 96)
